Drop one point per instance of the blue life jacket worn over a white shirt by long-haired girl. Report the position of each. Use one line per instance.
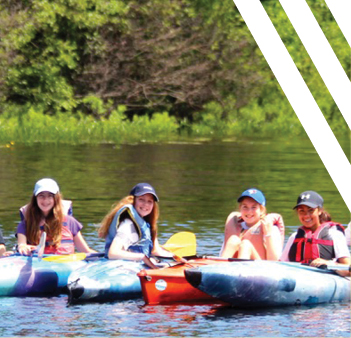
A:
(144, 244)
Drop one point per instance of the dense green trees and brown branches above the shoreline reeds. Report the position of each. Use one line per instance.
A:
(193, 60)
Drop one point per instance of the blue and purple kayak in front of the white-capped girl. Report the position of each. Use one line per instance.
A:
(29, 276)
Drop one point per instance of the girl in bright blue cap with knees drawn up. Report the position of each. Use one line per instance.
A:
(251, 233)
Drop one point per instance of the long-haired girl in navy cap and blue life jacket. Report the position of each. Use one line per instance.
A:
(130, 228)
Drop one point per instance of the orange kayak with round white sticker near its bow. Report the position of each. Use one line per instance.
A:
(168, 285)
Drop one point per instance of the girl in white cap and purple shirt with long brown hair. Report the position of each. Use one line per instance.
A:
(45, 213)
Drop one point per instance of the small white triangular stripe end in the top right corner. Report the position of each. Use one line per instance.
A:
(341, 10)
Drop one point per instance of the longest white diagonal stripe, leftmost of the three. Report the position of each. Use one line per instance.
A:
(298, 95)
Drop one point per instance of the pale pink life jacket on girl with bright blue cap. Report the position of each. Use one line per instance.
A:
(255, 235)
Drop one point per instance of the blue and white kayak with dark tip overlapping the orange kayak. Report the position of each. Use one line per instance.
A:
(251, 284)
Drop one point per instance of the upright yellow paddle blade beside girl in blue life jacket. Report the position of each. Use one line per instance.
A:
(182, 244)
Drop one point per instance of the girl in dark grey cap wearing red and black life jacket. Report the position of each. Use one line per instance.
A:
(318, 241)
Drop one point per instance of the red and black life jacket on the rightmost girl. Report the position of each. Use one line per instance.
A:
(309, 245)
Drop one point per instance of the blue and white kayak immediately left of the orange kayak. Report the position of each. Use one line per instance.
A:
(105, 281)
